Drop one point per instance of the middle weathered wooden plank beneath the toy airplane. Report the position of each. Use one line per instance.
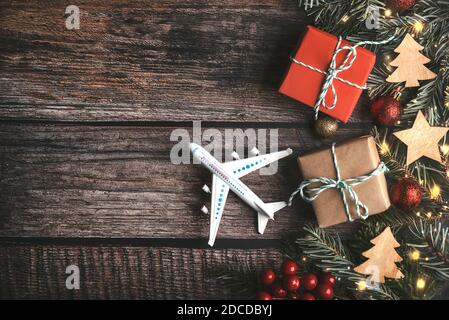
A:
(96, 181)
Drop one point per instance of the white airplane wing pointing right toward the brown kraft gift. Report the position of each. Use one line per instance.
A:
(244, 166)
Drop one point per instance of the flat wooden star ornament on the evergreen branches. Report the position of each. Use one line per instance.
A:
(422, 140)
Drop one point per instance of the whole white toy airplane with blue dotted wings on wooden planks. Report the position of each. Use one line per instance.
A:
(226, 176)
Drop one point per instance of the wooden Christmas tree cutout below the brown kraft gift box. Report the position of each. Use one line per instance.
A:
(382, 258)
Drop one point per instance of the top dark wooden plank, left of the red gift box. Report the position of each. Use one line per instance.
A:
(150, 60)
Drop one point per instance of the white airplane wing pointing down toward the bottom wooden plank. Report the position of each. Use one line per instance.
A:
(219, 195)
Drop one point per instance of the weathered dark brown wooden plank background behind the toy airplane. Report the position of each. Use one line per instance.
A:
(86, 117)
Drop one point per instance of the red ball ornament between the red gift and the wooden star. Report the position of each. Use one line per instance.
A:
(386, 110)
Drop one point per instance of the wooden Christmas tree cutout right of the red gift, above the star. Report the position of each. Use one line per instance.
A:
(410, 64)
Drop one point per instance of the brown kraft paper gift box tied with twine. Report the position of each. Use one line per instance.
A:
(355, 157)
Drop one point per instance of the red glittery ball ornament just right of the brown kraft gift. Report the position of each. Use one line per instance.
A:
(406, 193)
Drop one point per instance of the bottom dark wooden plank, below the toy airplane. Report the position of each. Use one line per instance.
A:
(38, 272)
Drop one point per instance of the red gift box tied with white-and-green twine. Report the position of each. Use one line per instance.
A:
(304, 84)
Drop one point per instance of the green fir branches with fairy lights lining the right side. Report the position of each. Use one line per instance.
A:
(421, 228)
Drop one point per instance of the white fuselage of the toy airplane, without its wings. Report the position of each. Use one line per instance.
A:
(234, 184)
